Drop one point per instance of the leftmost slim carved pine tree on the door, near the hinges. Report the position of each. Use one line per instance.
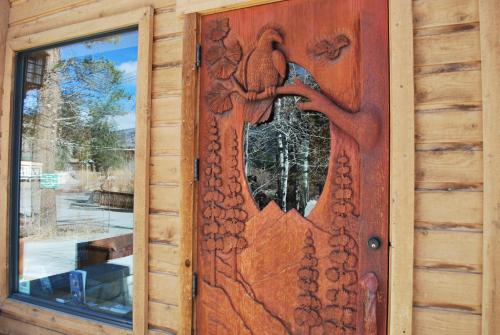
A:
(213, 211)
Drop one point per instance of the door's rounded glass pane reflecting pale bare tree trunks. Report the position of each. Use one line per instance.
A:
(286, 159)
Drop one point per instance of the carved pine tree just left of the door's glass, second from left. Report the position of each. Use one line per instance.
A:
(233, 224)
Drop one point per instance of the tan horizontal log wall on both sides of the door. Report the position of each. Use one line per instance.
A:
(448, 254)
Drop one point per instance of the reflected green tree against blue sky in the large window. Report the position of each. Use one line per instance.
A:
(91, 93)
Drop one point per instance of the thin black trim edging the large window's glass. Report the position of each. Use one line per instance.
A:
(14, 209)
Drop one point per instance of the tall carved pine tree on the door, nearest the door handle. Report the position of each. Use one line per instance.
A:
(340, 314)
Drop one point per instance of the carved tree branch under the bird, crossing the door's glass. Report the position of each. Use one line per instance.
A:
(349, 122)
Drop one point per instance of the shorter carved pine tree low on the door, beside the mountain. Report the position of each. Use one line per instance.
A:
(307, 313)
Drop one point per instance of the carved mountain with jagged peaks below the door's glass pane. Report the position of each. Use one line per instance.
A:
(271, 264)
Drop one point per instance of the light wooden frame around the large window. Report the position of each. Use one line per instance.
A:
(141, 18)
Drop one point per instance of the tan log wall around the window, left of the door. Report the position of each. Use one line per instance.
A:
(28, 17)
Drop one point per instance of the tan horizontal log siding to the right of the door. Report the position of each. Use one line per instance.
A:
(449, 168)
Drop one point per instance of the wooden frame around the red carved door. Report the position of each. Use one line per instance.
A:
(402, 156)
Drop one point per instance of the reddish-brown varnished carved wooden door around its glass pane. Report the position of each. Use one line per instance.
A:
(237, 296)
